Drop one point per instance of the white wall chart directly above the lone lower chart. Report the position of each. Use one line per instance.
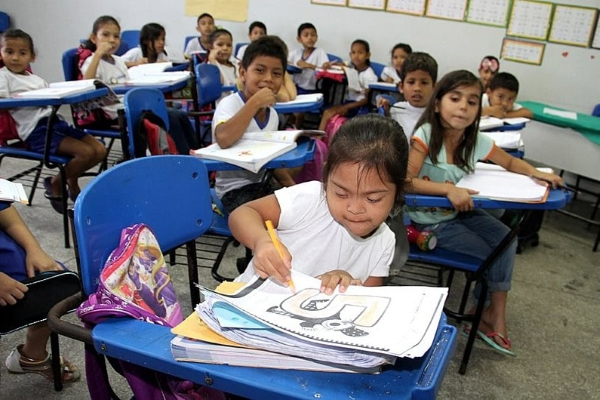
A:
(530, 19)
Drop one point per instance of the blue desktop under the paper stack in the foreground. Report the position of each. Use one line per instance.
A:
(149, 345)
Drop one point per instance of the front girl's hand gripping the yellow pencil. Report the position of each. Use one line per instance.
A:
(268, 262)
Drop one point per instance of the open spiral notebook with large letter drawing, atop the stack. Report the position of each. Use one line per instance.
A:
(394, 321)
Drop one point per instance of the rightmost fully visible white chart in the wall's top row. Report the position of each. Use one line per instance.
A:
(572, 25)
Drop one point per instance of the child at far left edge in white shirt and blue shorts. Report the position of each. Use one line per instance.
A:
(17, 52)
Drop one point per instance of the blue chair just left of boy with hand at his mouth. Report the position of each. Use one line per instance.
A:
(208, 91)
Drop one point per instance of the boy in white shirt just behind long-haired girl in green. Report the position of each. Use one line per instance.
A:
(418, 75)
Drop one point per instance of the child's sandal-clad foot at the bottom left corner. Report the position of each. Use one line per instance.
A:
(17, 363)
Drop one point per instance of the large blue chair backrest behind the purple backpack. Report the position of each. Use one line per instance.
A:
(170, 194)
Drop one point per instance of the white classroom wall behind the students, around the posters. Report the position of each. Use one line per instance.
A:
(572, 82)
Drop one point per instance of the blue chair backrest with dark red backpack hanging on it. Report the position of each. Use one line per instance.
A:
(136, 102)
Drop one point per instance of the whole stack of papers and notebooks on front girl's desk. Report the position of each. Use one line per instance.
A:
(356, 331)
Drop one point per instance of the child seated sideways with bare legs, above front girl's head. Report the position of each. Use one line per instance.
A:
(360, 55)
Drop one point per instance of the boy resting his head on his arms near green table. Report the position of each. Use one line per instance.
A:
(500, 96)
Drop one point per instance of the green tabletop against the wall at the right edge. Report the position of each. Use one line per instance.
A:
(586, 124)
